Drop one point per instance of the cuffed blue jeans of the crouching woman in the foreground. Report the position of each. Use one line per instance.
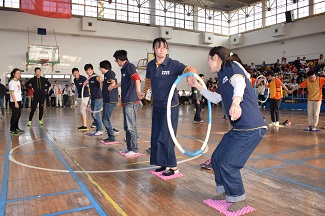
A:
(229, 157)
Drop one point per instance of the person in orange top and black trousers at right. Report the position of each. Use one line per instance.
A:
(275, 86)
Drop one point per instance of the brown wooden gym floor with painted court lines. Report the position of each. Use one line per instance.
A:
(56, 169)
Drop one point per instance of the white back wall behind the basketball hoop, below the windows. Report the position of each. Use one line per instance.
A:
(79, 47)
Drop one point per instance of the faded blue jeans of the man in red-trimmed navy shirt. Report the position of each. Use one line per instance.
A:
(130, 126)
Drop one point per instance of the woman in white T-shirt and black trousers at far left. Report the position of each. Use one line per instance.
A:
(15, 102)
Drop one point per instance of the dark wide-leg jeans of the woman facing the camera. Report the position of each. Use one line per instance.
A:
(162, 145)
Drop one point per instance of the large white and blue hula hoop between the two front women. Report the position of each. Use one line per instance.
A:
(170, 127)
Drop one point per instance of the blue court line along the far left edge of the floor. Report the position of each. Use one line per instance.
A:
(4, 185)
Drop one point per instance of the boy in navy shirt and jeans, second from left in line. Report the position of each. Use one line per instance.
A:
(96, 98)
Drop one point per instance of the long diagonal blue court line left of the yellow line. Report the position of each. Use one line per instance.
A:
(79, 182)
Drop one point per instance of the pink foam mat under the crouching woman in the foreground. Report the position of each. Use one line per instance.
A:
(222, 206)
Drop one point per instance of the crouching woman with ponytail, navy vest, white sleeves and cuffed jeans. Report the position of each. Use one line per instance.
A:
(248, 130)
